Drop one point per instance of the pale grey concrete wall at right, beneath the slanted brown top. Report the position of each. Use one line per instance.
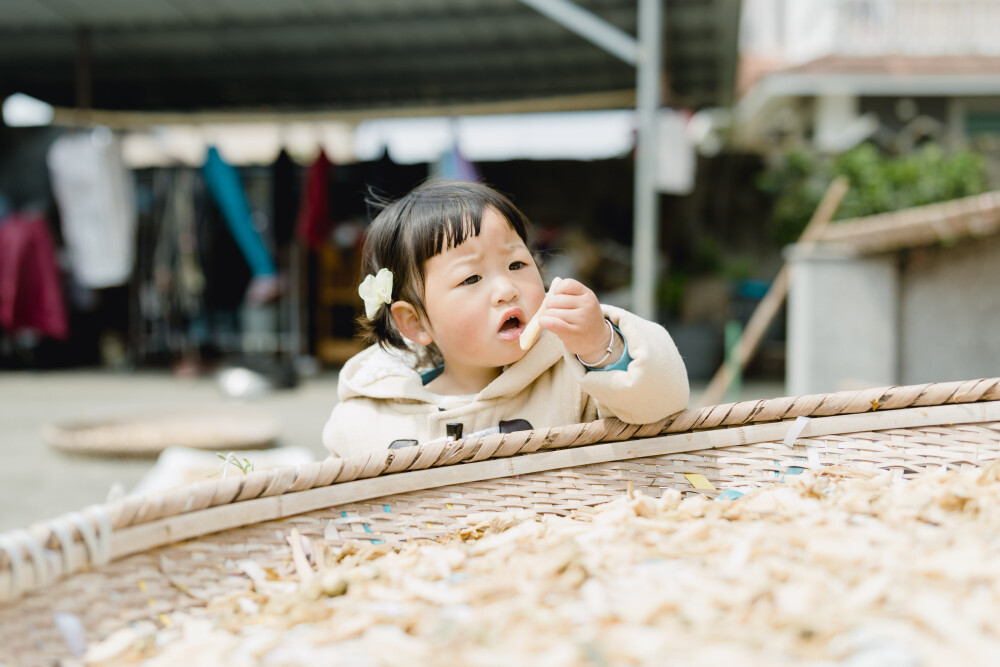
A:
(928, 314)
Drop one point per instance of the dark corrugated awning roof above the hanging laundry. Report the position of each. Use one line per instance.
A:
(365, 56)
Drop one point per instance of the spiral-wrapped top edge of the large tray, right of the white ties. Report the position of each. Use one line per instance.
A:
(259, 484)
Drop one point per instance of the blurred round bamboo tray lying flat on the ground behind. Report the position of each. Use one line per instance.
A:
(141, 436)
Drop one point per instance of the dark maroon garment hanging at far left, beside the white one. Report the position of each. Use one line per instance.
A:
(30, 292)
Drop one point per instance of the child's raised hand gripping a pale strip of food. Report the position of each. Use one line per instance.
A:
(573, 313)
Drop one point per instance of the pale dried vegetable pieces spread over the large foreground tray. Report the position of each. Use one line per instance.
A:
(836, 567)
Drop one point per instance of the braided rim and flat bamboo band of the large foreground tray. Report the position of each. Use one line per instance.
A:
(178, 514)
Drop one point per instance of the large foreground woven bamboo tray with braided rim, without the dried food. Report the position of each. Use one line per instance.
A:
(144, 558)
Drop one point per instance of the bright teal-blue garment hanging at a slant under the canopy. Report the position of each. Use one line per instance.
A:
(224, 184)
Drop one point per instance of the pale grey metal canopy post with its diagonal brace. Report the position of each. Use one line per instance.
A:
(644, 53)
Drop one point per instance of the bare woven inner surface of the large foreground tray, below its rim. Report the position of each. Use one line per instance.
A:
(154, 583)
